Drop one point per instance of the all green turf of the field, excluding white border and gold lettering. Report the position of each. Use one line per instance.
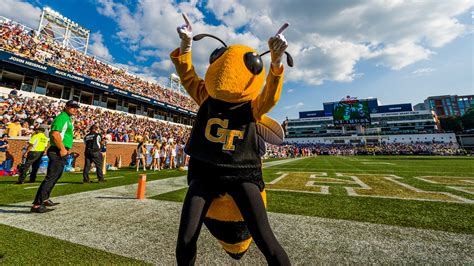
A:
(21, 247)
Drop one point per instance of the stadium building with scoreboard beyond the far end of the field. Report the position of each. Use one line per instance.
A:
(354, 121)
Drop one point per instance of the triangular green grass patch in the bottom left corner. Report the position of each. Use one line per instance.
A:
(19, 247)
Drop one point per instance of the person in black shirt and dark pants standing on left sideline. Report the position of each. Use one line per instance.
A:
(93, 154)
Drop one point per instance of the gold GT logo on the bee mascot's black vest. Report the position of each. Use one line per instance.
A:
(223, 135)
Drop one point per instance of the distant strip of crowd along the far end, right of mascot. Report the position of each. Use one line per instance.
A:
(418, 148)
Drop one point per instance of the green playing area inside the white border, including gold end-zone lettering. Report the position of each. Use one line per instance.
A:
(417, 191)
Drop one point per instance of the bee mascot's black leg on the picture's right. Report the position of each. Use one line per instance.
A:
(248, 199)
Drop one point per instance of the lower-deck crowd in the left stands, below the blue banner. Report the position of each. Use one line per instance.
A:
(21, 115)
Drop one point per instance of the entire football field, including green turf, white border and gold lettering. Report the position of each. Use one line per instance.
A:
(364, 209)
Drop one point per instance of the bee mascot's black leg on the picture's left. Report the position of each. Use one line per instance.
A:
(194, 210)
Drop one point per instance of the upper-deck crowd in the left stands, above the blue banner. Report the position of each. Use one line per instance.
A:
(42, 48)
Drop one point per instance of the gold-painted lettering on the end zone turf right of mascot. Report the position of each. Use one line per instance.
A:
(364, 185)
